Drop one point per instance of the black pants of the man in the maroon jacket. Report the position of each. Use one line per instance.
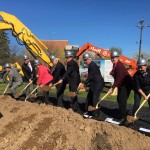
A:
(122, 97)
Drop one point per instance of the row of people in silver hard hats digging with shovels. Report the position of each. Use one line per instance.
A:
(122, 80)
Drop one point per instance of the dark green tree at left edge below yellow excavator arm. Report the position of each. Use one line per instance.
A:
(5, 53)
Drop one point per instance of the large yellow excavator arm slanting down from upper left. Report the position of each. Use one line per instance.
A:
(21, 32)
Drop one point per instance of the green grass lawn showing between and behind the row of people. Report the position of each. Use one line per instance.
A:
(81, 94)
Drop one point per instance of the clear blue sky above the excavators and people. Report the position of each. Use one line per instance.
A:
(104, 23)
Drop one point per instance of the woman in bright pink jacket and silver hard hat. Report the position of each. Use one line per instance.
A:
(44, 78)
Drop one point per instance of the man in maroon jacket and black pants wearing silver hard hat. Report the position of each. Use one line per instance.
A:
(123, 81)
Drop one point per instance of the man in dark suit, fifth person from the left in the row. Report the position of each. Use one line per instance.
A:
(73, 76)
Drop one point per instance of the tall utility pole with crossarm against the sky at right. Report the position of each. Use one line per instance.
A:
(141, 26)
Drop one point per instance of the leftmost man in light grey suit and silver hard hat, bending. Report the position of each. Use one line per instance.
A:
(15, 79)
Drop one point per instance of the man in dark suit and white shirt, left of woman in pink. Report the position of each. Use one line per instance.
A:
(28, 69)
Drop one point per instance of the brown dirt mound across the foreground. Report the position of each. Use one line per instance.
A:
(26, 126)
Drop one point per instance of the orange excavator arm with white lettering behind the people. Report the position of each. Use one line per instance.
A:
(131, 63)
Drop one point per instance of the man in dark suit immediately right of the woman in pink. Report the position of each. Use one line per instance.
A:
(58, 72)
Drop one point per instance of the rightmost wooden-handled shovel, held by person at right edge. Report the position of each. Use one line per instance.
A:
(131, 119)
